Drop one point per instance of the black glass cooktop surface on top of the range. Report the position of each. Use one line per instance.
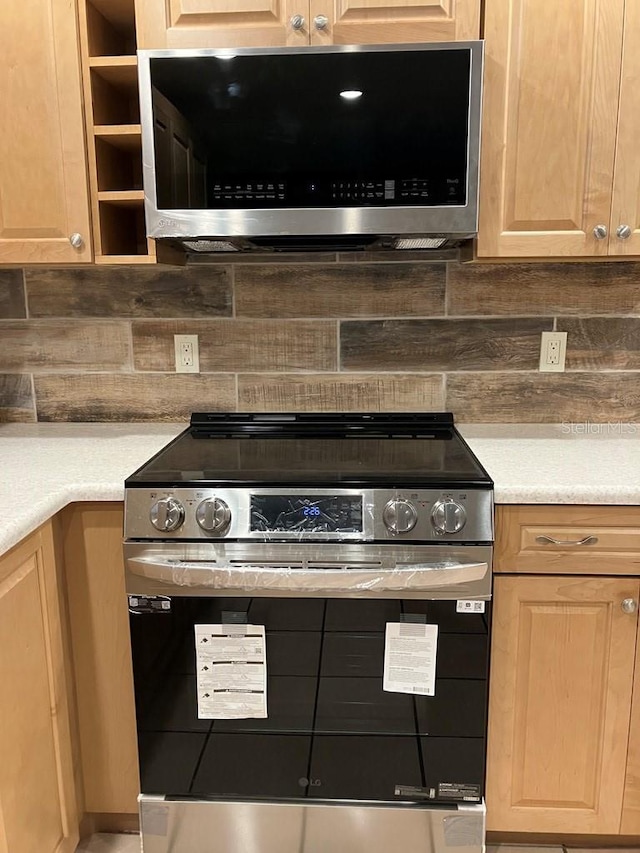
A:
(350, 450)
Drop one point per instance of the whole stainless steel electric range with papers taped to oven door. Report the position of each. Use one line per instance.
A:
(309, 602)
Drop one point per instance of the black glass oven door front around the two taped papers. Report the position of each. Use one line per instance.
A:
(331, 731)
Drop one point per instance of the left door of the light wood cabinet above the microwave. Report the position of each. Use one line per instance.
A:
(219, 23)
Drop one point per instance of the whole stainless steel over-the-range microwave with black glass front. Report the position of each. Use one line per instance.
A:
(315, 147)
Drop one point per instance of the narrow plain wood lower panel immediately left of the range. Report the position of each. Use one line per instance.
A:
(101, 656)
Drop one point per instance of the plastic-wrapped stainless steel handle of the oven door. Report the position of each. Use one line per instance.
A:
(255, 577)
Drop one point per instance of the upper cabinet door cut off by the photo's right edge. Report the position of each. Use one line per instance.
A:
(626, 192)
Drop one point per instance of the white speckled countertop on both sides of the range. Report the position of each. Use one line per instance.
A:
(44, 467)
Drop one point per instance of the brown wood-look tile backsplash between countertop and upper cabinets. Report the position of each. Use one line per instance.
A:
(321, 333)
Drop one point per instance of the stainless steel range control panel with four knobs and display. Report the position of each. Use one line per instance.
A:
(457, 515)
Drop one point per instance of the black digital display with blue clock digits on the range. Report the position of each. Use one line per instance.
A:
(325, 514)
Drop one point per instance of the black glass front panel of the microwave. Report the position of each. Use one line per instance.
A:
(305, 129)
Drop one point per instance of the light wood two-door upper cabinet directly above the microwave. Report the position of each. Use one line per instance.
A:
(249, 23)
